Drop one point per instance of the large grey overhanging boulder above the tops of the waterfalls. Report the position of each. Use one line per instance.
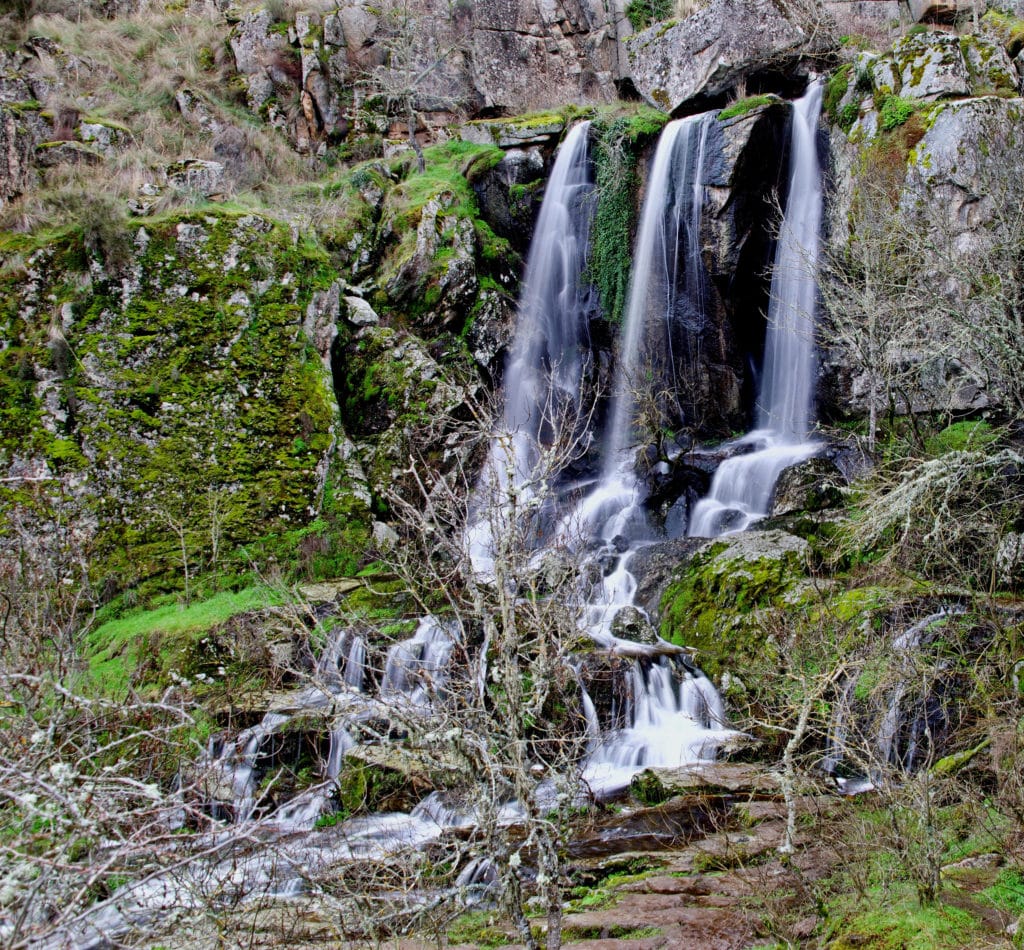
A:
(724, 45)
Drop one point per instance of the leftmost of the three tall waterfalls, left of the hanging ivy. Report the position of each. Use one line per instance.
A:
(547, 367)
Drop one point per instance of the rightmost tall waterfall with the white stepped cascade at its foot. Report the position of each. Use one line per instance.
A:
(742, 491)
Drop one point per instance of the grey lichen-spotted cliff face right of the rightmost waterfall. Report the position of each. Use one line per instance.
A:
(933, 149)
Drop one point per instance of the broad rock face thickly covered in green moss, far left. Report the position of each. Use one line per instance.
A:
(160, 382)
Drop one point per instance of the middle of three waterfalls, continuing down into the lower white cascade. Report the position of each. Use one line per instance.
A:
(673, 716)
